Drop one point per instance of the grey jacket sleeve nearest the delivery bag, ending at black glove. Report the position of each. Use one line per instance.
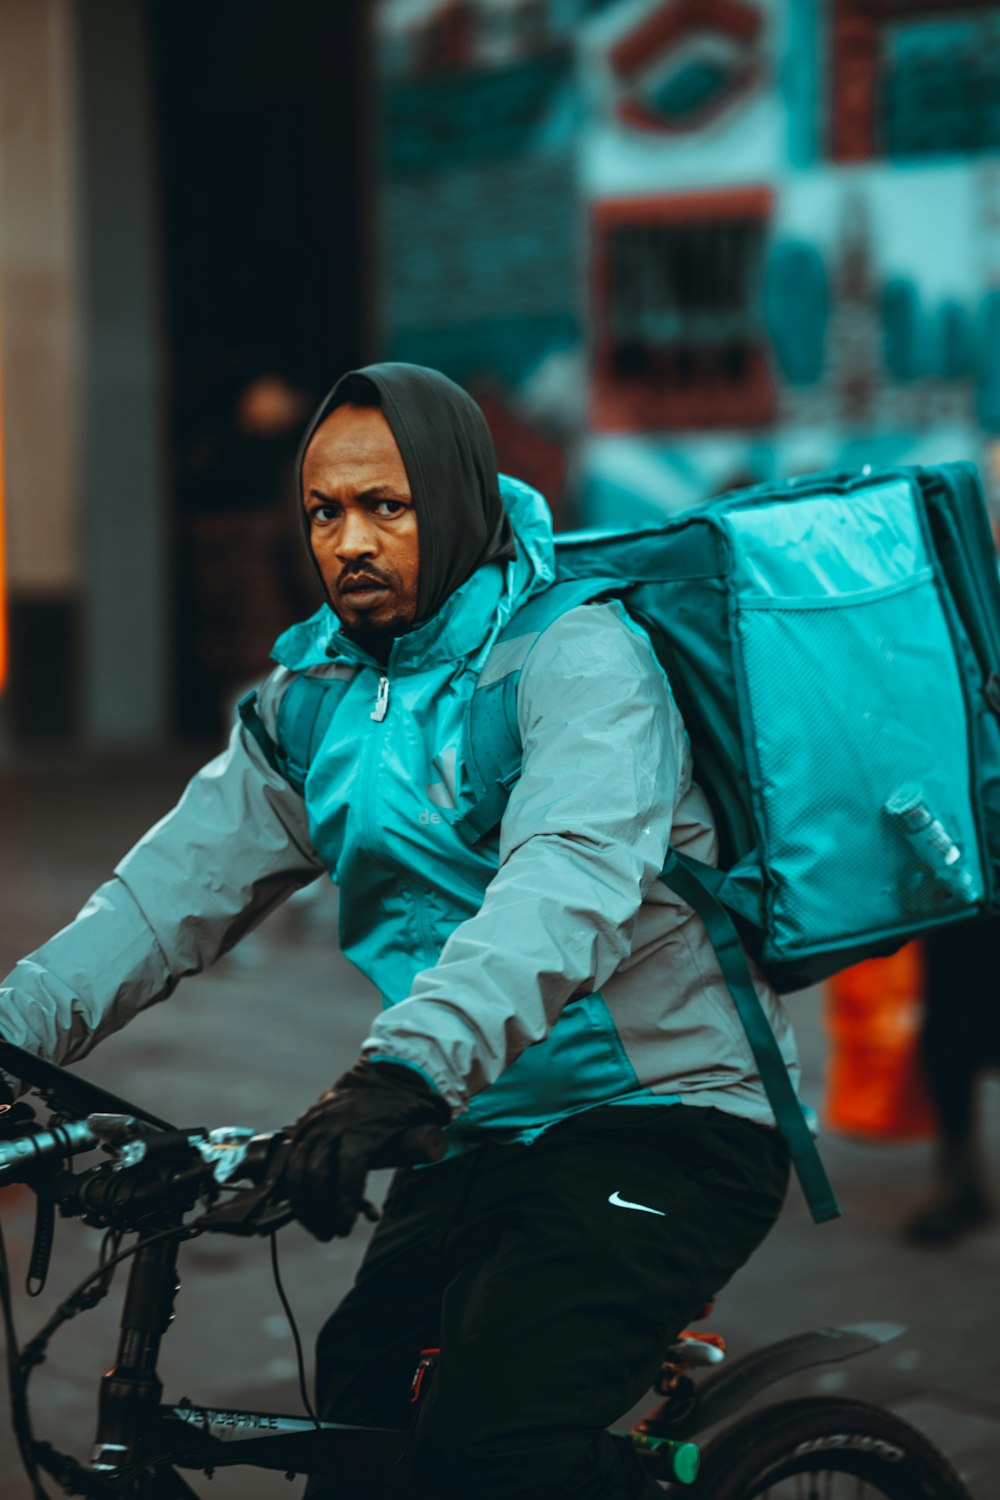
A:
(582, 841)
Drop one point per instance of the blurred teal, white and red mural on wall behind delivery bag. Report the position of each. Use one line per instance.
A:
(570, 193)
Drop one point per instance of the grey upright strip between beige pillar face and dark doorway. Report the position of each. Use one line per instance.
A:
(125, 533)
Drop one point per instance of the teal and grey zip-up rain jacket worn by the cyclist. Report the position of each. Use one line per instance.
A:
(542, 973)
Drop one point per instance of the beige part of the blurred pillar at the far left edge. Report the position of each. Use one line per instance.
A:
(40, 376)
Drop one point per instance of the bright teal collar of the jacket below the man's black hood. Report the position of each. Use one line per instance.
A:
(469, 622)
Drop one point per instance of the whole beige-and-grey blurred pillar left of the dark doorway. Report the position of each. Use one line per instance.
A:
(86, 556)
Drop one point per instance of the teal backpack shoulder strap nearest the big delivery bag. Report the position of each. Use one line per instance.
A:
(493, 749)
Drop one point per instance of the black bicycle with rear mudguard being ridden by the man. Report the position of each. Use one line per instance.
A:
(158, 1177)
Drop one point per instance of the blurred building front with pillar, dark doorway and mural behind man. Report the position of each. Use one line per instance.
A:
(672, 247)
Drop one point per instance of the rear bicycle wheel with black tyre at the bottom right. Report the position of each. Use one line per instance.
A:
(825, 1448)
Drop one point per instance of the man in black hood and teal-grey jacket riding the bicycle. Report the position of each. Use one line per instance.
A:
(548, 1003)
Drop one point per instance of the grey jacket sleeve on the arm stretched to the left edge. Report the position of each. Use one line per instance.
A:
(235, 847)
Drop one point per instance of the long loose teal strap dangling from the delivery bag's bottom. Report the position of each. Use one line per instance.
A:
(684, 878)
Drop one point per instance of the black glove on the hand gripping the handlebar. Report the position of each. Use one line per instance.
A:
(362, 1123)
